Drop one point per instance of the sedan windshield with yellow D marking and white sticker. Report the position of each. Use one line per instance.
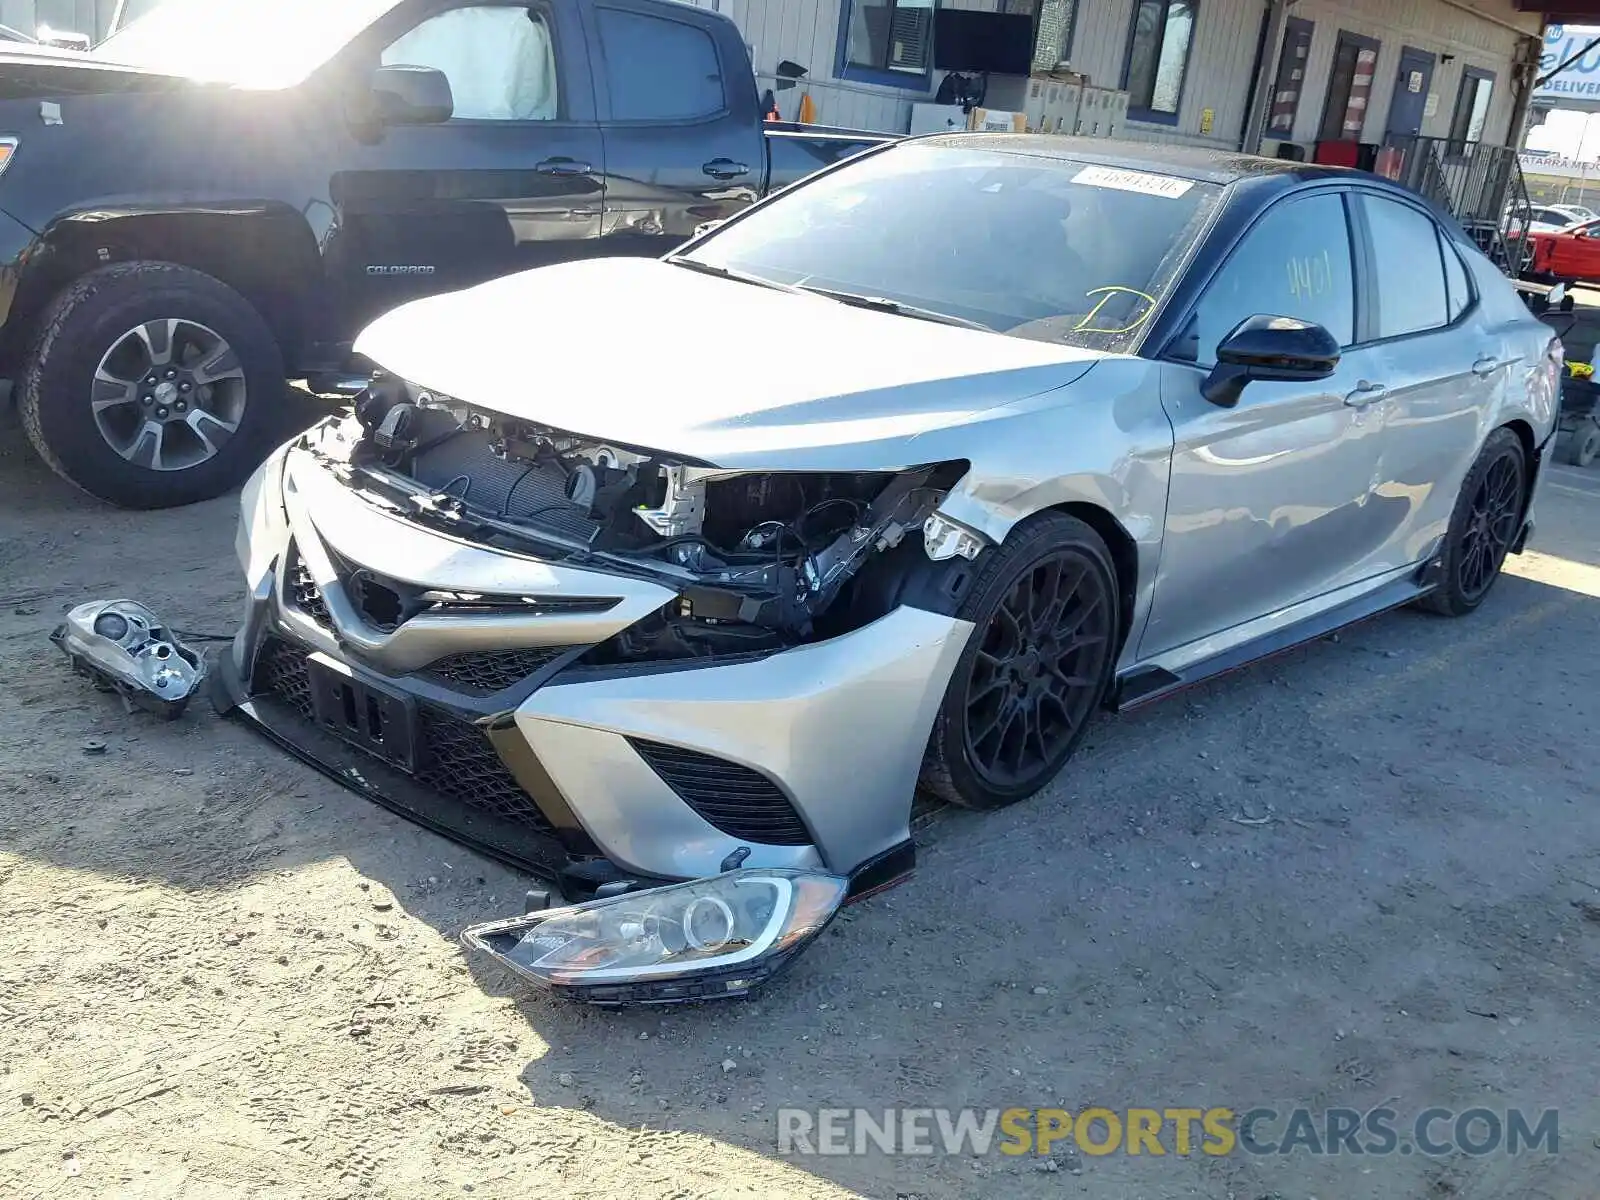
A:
(1034, 247)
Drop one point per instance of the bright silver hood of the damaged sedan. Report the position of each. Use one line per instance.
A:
(662, 358)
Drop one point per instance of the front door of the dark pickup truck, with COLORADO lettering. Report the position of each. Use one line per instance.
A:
(514, 180)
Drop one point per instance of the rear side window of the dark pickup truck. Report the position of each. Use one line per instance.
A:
(660, 70)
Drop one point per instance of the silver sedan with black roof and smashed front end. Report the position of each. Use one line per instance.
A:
(646, 572)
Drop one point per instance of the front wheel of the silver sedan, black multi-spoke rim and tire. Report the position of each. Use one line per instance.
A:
(1039, 662)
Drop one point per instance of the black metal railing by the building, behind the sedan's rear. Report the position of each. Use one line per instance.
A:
(1478, 183)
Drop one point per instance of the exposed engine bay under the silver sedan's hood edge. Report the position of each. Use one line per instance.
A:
(761, 559)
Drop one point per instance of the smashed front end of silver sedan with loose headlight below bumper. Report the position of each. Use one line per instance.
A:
(694, 698)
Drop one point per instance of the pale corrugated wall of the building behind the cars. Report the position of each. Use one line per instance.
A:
(1220, 65)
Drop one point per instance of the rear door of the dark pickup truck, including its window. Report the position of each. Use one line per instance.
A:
(681, 121)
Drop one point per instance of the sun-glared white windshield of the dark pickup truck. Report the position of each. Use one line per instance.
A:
(255, 44)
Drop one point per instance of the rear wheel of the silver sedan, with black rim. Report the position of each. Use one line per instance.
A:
(1482, 527)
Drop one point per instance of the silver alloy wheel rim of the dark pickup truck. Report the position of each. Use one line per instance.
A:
(169, 394)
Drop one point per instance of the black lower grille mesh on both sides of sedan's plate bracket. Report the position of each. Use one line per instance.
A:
(454, 756)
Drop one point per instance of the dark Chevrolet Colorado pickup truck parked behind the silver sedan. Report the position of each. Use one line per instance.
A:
(220, 196)
